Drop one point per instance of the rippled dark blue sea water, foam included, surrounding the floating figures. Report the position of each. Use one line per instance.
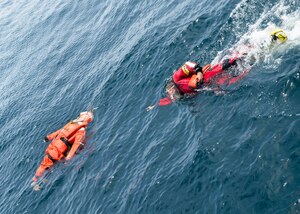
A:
(232, 153)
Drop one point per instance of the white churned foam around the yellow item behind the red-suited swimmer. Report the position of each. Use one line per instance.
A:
(256, 41)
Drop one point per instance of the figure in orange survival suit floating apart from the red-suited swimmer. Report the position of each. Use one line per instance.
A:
(65, 142)
